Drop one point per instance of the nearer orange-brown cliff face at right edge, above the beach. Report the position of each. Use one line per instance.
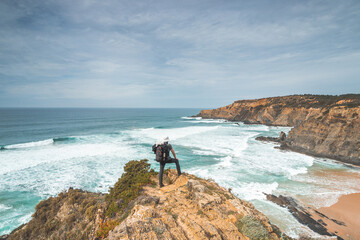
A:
(335, 134)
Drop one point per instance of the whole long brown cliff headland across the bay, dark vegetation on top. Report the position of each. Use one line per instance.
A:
(323, 125)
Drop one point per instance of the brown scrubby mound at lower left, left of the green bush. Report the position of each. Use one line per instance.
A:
(61, 217)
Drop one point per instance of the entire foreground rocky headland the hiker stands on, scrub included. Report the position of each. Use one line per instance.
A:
(136, 208)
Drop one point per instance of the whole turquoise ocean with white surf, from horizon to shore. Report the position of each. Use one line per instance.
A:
(46, 151)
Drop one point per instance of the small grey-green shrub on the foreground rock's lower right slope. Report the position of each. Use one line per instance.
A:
(252, 228)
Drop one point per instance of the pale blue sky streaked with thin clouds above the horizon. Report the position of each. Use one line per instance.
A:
(201, 54)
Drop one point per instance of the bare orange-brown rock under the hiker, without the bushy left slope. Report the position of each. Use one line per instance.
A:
(191, 208)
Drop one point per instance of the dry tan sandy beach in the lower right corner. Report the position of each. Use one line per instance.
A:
(346, 212)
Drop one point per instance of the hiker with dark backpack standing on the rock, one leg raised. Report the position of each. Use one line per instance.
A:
(162, 149)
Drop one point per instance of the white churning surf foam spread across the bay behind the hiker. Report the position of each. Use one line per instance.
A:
(229, 154)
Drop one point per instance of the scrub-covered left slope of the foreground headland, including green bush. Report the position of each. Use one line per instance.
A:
(73, 213)
